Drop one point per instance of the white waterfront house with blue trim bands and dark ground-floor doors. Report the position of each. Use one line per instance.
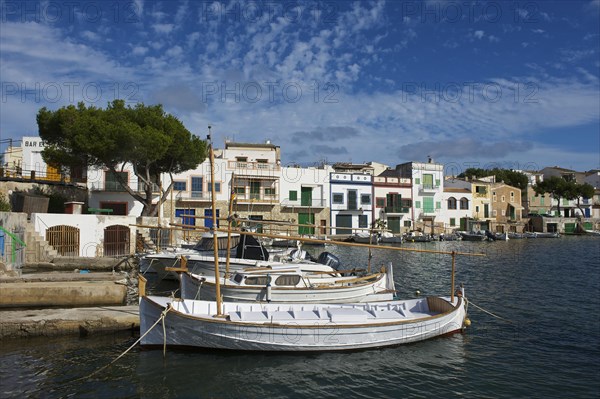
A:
(351, 201)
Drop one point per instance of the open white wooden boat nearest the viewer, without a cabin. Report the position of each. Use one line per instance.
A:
(297, 327)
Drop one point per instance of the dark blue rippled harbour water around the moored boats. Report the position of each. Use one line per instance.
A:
(548, 289)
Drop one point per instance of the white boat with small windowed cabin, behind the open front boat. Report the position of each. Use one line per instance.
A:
(317, 284)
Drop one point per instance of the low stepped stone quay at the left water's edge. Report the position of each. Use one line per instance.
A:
(65, 303)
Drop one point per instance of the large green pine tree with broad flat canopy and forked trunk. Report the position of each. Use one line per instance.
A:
(152, 141)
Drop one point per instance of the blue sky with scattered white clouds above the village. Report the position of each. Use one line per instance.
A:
(510, 84)
